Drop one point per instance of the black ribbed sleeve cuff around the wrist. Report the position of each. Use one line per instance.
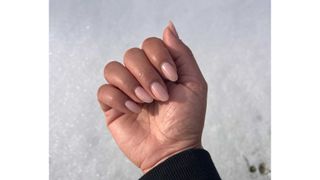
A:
(187, 165)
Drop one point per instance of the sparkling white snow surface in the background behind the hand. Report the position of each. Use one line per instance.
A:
(231, 42)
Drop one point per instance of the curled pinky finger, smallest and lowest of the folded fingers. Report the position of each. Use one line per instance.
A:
(109, 95)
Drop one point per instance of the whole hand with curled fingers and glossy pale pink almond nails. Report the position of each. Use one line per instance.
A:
(155, 105)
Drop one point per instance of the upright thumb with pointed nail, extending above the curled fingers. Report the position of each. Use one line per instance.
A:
(187, 67)
